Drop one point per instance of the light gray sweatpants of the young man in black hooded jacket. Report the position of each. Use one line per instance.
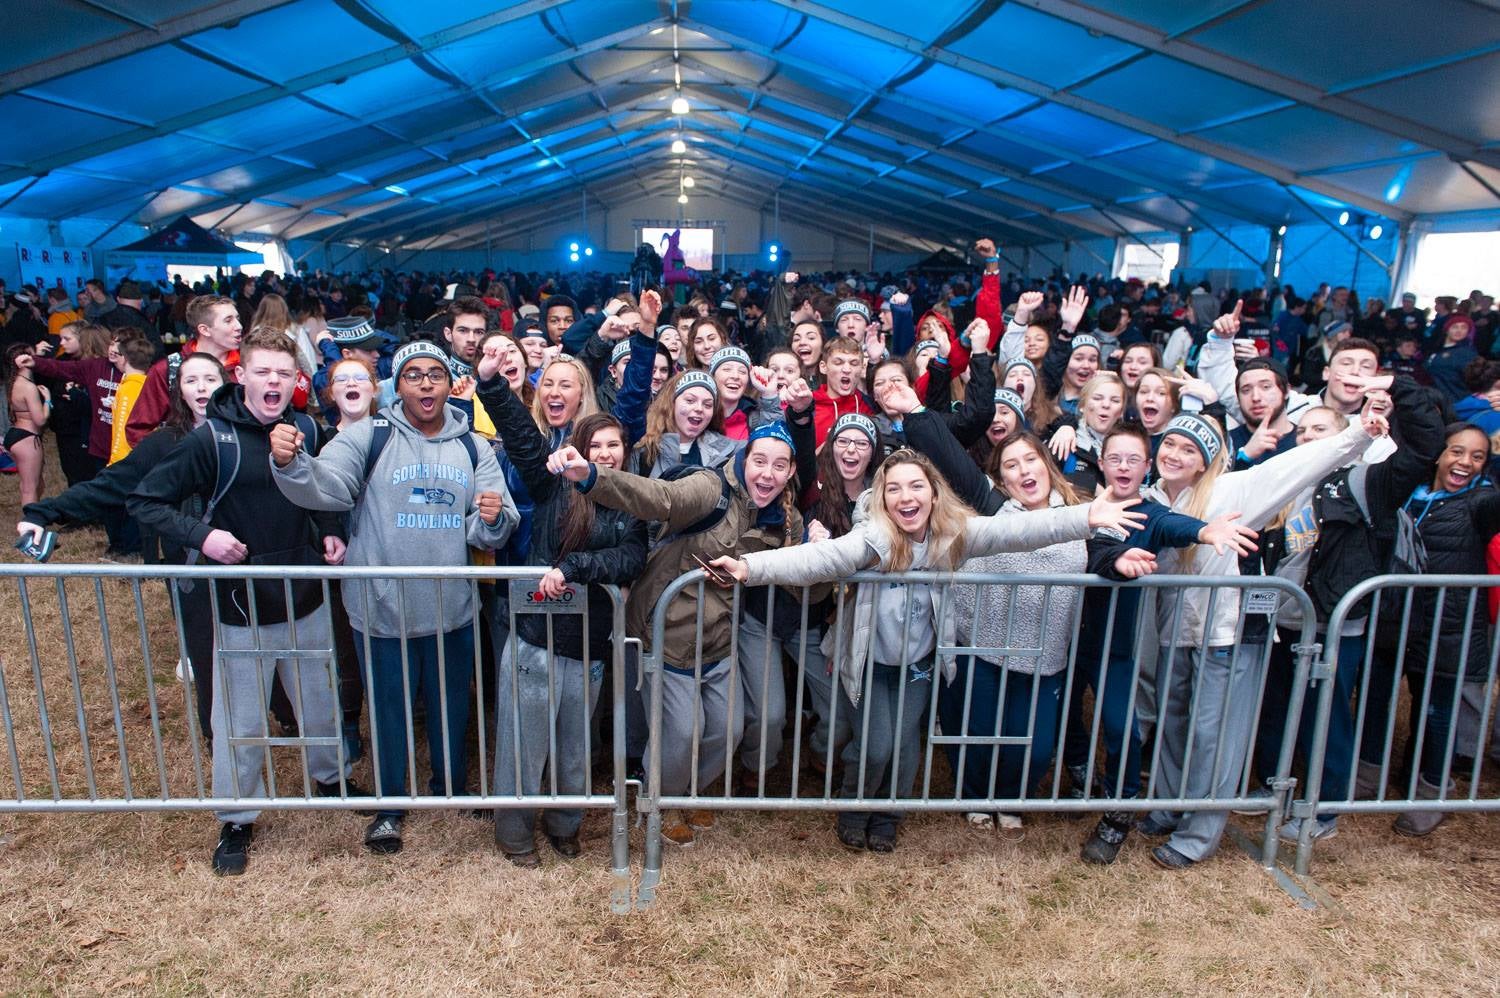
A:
(242, 687)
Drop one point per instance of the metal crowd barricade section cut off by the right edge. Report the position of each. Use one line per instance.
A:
(1385, 619)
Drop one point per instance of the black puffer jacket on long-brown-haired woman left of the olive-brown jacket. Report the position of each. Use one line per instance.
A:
(613, 555)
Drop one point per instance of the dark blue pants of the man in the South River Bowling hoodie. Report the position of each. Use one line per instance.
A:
(389, 709)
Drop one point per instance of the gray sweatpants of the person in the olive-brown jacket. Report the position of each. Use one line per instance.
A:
(688, 703)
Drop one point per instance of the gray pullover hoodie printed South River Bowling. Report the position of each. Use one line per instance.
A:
(418, 510)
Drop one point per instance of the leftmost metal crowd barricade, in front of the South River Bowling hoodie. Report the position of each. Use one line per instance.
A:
(94, 720)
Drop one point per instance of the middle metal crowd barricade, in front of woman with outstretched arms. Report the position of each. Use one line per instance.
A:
(719, 790)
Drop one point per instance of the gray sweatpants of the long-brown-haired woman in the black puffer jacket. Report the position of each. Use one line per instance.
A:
(560, 714)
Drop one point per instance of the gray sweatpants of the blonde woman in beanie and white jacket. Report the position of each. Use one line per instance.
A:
(1199, 694)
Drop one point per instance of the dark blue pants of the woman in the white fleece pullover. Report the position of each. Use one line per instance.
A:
(1000, 705)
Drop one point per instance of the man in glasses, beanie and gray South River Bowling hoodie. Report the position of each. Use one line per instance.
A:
(422, 493)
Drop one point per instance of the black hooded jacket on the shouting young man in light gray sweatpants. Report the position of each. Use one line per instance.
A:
(275, 531)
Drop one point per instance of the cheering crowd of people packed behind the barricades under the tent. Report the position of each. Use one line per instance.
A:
(782, 433)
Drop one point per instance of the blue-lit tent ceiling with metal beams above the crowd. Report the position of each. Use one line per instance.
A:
(1037, 121)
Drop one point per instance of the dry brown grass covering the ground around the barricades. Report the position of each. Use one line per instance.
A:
(763, 904)
